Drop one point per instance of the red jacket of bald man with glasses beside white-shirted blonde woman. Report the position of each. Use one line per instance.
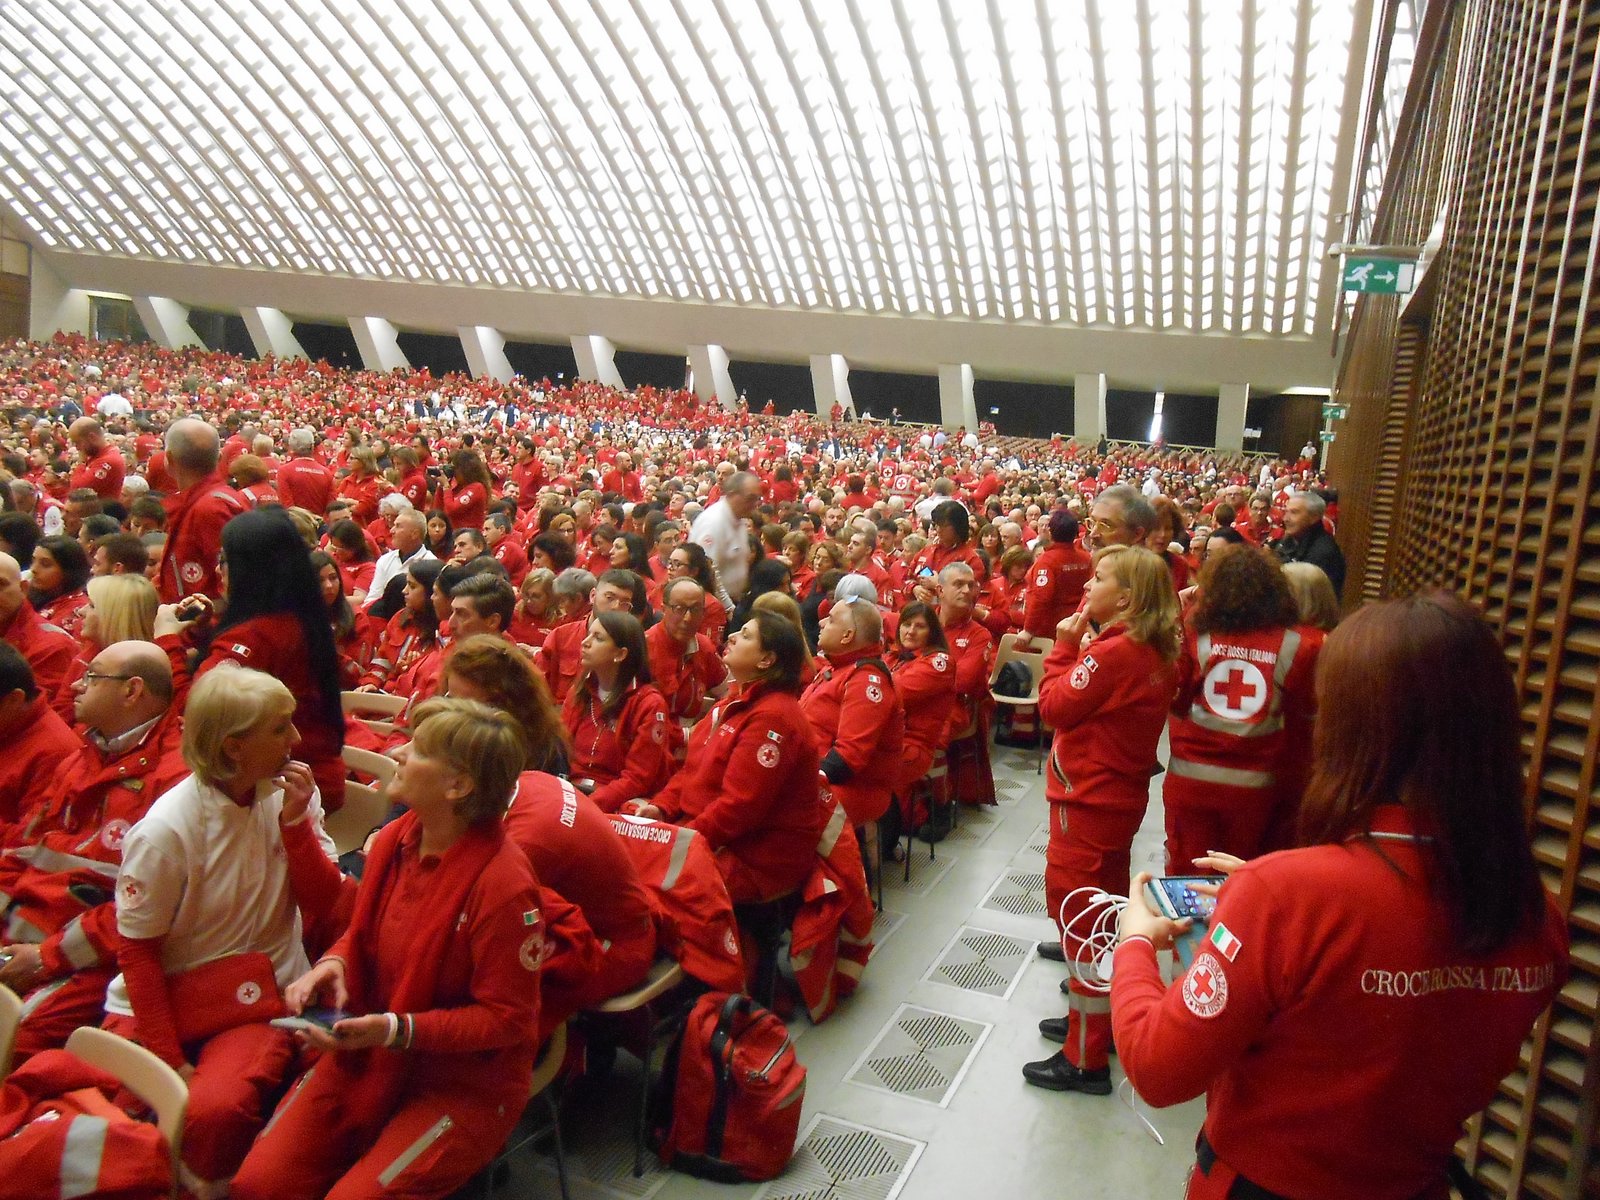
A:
(74, 841)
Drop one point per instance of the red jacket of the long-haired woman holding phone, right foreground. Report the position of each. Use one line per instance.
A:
(1335, 964)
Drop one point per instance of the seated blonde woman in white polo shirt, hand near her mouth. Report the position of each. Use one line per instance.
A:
(214, 890)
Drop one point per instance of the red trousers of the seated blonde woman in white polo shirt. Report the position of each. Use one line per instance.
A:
(238, 1076)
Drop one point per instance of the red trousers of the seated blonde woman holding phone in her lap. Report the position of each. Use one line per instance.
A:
(332, 1140)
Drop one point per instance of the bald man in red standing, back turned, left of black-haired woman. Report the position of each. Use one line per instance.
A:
(196, 514)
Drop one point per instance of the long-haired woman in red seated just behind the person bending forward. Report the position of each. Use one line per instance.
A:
(623, 735)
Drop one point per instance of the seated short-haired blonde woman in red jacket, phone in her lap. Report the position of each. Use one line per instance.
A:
(436, 986)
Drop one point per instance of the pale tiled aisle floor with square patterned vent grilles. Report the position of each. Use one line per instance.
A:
(914, 1084)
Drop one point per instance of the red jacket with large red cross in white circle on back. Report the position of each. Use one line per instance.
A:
(1239, 695)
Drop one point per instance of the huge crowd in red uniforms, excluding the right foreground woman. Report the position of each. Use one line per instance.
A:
(598, 612)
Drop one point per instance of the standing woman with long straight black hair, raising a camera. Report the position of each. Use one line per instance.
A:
(273, 620)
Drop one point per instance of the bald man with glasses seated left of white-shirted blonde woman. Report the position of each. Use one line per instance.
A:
(60, 870)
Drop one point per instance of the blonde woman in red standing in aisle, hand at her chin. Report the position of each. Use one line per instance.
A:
(1106, 690)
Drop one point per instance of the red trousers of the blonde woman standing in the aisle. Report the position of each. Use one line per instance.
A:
(1090, 847)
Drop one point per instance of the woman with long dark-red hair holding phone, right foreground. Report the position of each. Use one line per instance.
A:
(1398, 961)
